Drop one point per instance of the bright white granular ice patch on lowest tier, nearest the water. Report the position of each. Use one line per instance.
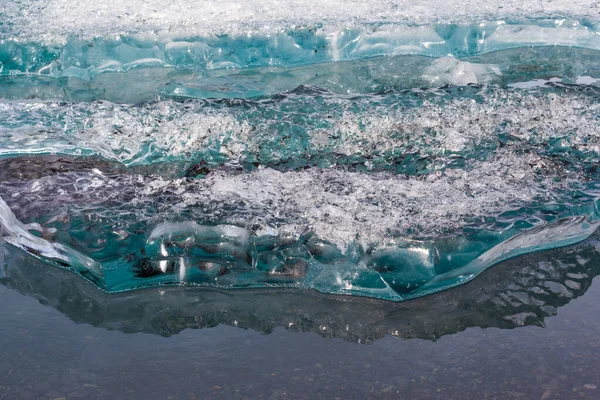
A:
(343, 206)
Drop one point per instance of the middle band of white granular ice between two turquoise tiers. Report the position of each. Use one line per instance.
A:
(155, 132)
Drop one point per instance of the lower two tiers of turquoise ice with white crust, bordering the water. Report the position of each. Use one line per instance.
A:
(394, 195)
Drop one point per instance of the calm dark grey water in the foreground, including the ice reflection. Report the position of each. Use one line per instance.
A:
(525, 329)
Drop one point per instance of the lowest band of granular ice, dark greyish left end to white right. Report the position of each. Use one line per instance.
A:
(339, 206)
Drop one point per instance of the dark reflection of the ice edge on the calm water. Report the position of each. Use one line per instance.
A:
(517, 292)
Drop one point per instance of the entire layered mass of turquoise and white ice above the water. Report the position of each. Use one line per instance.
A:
(390, 152)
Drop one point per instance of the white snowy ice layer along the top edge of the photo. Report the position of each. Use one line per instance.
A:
(54, 18)
